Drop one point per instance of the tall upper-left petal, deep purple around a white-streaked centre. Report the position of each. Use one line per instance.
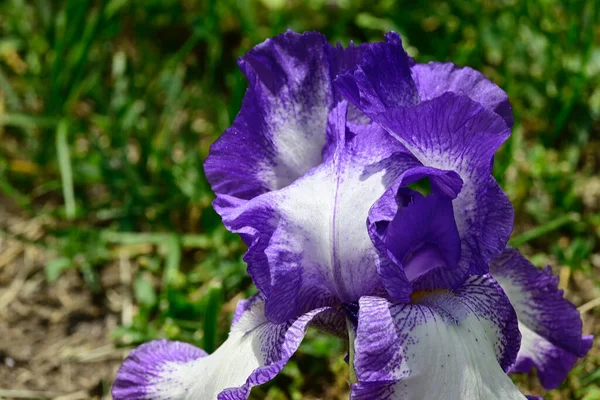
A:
(280, 131)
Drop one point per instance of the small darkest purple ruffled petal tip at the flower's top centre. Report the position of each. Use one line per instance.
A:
(382, 80)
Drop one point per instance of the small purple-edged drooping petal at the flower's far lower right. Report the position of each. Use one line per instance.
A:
(551, 326)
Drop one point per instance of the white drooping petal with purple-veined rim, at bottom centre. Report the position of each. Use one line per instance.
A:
(446, 345)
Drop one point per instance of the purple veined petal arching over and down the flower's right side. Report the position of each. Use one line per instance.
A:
(455, 133)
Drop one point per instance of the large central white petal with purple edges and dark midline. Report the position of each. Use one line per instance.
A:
(310, 244)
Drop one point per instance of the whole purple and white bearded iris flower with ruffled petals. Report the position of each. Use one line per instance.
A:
(316, 174)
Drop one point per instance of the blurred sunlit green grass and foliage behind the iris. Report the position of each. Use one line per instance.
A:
(108, 108)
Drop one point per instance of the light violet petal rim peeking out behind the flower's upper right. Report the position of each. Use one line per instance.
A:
(435, 78)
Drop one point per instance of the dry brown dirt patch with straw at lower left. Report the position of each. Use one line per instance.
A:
(55, 337)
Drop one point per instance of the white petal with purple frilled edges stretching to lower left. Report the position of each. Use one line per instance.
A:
(254, 353)
